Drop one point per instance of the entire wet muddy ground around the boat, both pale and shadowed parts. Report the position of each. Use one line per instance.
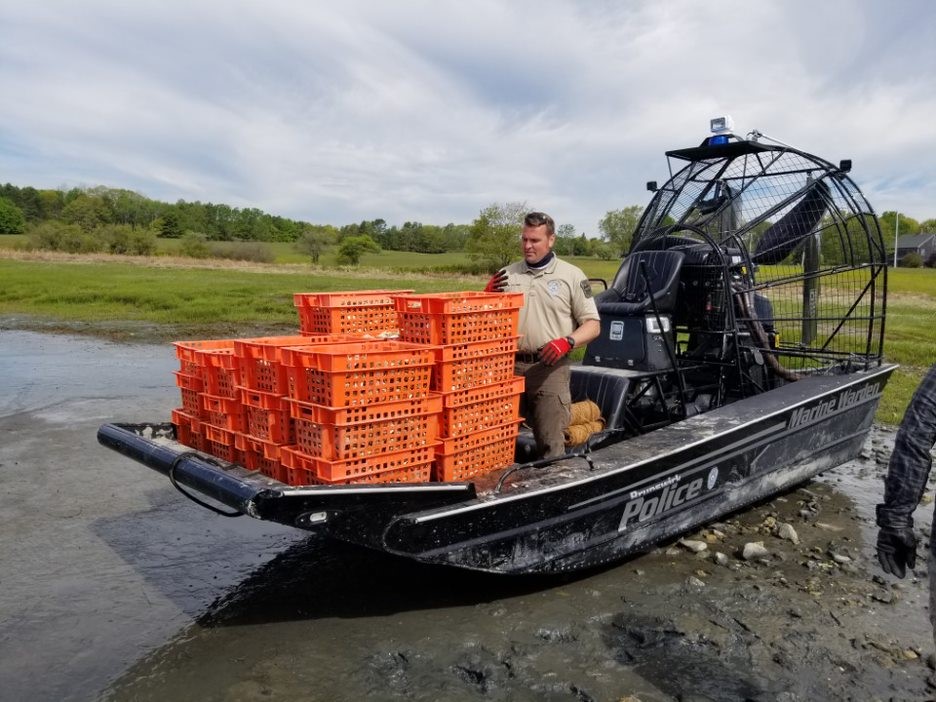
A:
(116, 587)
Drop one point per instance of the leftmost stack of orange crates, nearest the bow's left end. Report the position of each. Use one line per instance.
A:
(210, 414)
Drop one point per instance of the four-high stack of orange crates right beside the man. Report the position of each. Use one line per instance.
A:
(475, 339)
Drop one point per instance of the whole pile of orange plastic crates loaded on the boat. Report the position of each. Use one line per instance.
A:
(338, 404)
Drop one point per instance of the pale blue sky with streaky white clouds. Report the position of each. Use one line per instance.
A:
(334, 112)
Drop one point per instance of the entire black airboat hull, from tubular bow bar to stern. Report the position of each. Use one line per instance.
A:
(579, 512)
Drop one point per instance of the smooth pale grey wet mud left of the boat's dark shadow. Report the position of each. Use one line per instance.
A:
(101, 560)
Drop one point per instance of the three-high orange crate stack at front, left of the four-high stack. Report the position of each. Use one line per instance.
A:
(363, 413)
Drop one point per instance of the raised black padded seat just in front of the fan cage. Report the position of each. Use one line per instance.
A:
(630, 295)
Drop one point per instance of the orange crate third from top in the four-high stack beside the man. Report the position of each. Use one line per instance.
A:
(476, 409)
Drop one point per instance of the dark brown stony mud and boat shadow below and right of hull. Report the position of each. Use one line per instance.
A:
(807, 615)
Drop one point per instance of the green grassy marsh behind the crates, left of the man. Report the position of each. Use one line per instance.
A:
(89, 294)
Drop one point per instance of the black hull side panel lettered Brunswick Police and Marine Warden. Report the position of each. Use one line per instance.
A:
(653, 487)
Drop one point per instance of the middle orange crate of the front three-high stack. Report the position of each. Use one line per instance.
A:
(375, 429)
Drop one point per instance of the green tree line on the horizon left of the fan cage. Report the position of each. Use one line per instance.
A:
(123, 221)
